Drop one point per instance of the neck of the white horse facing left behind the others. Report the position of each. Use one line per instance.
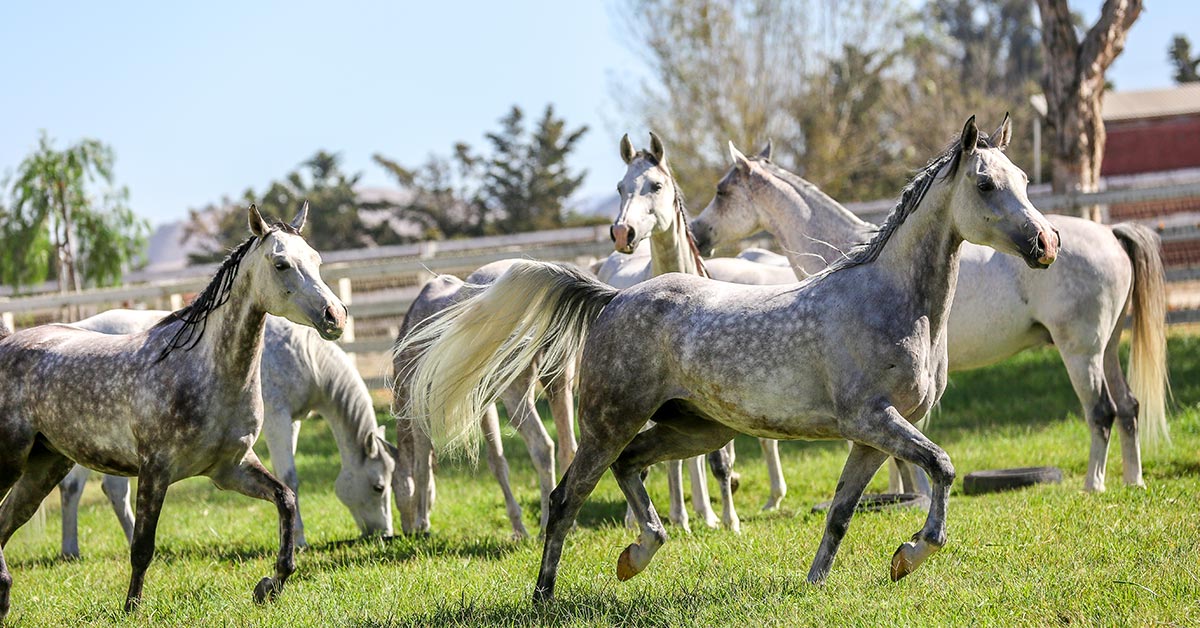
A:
(813, 229)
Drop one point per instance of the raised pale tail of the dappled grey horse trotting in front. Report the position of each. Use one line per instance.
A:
(470, 354)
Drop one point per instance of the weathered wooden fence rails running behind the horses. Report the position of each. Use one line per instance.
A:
(376, 312)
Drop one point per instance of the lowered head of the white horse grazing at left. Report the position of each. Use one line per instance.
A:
(365, 487)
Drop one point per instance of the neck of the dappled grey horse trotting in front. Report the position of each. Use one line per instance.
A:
(922, 259)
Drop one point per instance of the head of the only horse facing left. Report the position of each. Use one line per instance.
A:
(733, 214)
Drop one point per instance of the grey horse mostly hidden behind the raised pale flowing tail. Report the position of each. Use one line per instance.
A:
(415, 485)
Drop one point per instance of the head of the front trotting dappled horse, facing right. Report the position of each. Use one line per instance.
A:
(991, 206)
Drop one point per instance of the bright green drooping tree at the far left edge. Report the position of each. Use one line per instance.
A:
(67, 217)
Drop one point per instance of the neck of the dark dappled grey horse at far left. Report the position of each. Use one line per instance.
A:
(233, 339)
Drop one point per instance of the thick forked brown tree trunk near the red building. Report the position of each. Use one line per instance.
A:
(1075, 88)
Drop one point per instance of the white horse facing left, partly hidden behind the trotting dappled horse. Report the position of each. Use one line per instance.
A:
(1001, 308)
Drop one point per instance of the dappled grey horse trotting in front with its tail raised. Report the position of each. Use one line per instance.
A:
(856, 352)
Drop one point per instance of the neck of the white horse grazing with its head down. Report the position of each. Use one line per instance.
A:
(349, 409)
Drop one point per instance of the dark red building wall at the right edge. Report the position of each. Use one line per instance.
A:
(1151, 146)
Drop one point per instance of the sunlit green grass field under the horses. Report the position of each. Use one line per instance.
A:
(1051, 555)
